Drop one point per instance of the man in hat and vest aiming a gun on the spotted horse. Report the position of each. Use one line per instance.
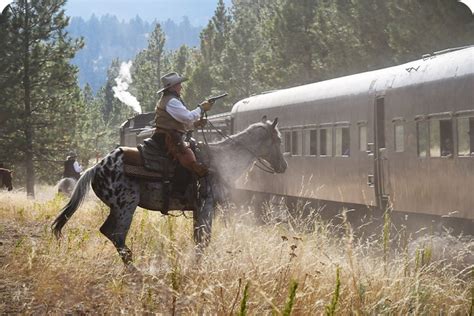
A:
(173, 120)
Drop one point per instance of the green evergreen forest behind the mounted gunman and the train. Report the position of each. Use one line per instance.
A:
(248, 48)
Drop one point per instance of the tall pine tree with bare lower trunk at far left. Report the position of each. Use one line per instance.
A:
(39, 51)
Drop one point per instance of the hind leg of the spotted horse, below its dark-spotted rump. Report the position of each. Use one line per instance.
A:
(116, 227)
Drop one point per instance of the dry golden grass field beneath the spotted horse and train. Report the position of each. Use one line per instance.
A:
(247, 269)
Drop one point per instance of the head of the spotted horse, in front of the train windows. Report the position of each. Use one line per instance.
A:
(270, 149)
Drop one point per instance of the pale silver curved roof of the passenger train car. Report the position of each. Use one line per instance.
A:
(432, 67)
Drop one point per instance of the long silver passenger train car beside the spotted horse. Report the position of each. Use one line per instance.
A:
(399, 138)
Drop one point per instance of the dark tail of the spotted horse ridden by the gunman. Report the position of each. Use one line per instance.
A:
(78, 195)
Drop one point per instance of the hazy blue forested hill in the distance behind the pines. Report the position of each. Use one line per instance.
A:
(107, 37)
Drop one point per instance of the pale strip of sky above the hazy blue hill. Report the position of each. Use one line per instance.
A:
(198, 11)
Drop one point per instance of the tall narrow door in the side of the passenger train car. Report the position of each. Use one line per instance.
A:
(382, 197)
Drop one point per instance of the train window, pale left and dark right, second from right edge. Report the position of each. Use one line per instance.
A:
(441, 138)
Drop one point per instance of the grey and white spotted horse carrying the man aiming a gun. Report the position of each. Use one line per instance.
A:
(229, 159)
